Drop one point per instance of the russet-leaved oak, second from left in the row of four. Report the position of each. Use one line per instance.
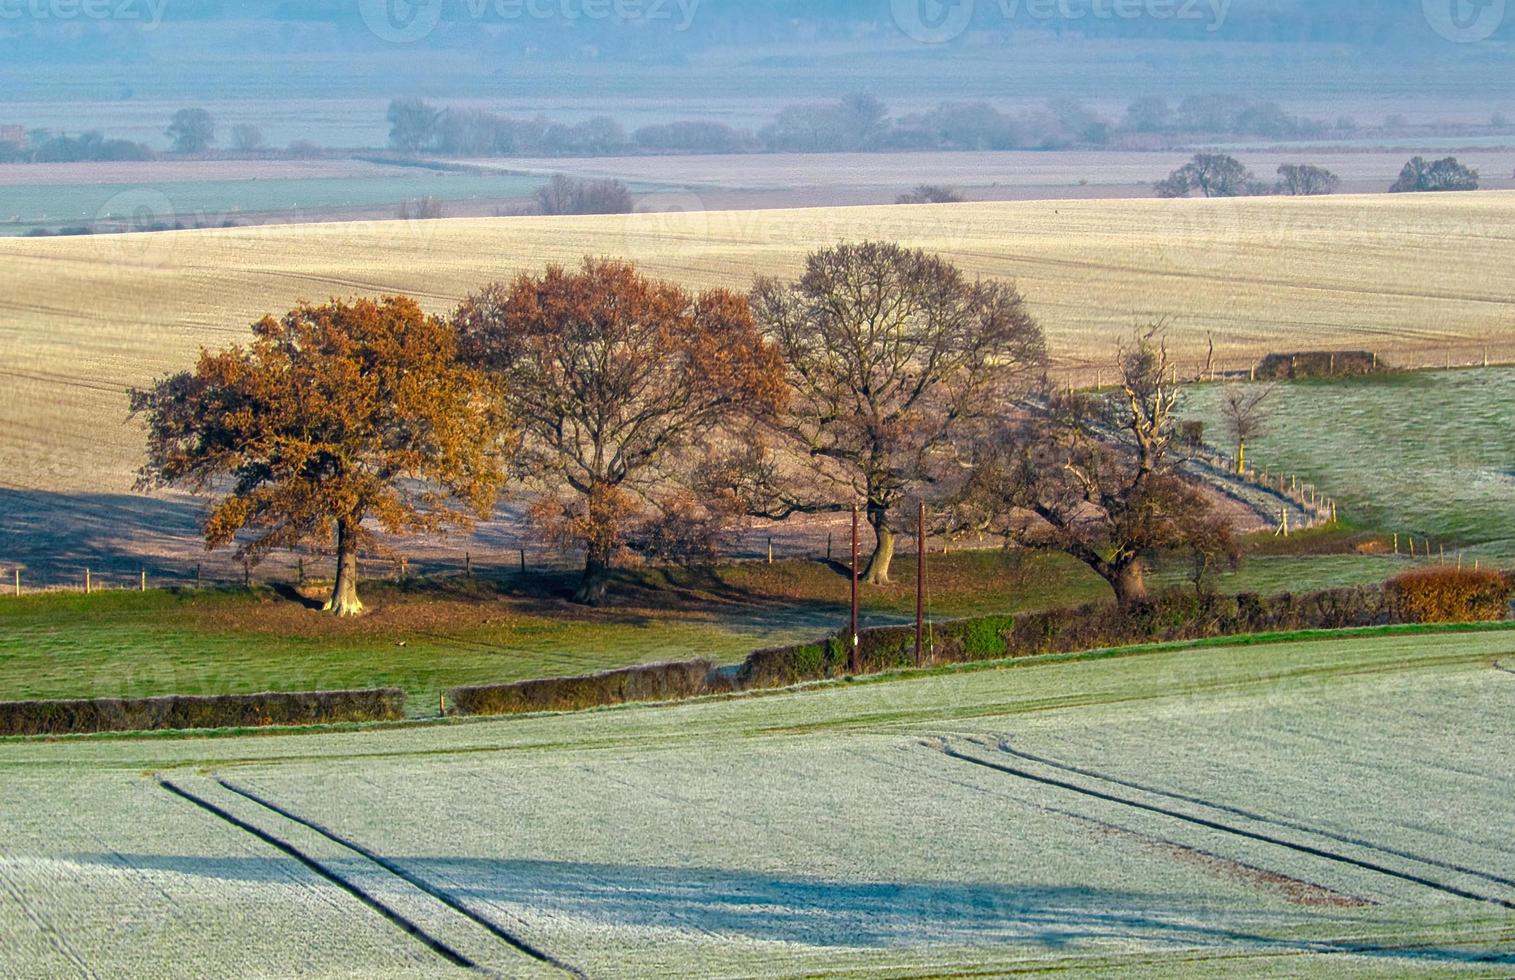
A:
(619, 384)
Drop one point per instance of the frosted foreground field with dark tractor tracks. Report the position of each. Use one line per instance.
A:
(1329, 807)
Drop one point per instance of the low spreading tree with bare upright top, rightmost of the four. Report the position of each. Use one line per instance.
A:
(1093, 478)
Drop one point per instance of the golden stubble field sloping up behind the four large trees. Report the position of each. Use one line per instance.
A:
(83, 320)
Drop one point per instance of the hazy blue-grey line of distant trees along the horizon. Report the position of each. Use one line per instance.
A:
(861, 123)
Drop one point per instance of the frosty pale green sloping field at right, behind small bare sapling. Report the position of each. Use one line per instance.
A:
(1429, 455)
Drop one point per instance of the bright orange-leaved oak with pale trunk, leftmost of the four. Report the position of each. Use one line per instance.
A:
(336, 422)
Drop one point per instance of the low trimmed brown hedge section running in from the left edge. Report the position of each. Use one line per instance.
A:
(199, 713)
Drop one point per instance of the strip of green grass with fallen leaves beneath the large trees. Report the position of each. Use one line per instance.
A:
(431, 637)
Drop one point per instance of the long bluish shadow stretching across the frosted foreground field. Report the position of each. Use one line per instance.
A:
(829, 914)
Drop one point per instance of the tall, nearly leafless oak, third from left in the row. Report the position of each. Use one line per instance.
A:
(893, 358)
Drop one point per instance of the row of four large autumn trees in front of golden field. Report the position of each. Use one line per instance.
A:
(645, 422)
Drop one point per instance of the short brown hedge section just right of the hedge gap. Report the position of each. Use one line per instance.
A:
(654, 682)
